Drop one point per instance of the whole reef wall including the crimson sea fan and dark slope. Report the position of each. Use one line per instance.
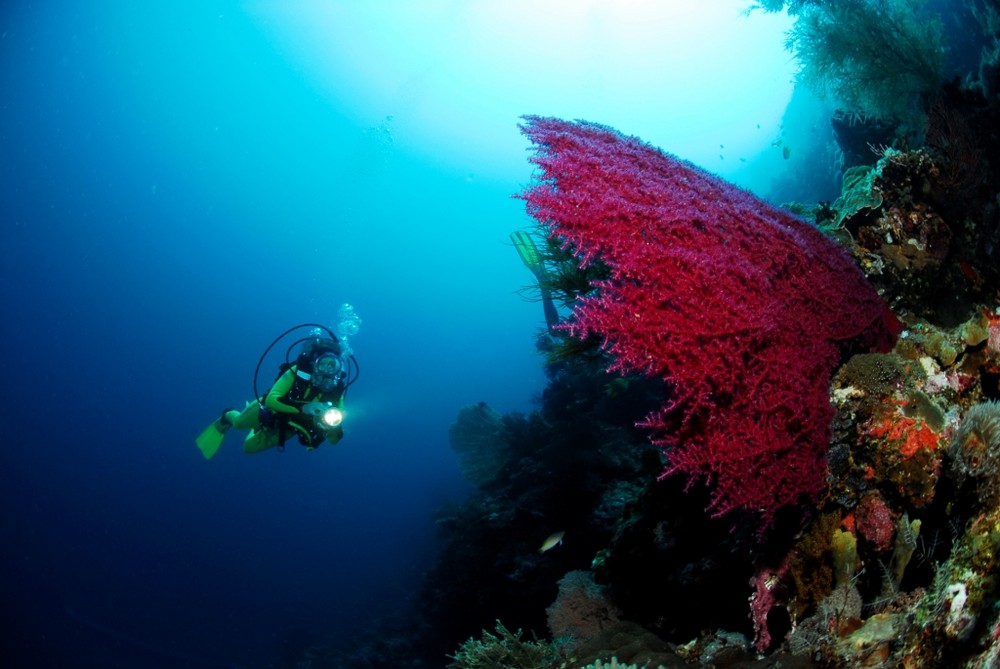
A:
(889, 555)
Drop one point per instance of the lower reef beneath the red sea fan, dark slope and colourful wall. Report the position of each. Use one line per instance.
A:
(896, 566)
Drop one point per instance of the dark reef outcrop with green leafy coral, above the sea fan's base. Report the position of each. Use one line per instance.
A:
(917, 237)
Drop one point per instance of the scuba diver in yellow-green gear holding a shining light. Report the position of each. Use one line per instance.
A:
(306, 400)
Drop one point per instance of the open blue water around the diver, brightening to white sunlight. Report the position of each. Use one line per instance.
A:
(184, 181)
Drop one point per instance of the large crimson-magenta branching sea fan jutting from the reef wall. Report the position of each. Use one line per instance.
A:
(742, 308)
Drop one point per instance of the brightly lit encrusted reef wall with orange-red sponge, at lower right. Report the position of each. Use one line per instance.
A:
(907, 527)
